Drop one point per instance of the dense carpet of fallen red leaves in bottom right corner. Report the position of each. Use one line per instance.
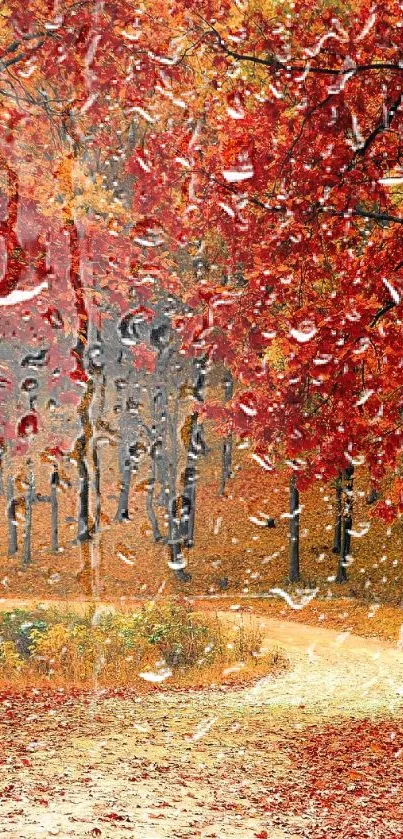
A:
(349, 778)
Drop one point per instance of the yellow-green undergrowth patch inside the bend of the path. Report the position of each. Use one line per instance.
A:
(104, 647)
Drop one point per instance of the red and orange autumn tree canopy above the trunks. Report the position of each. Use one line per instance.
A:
(245, 157)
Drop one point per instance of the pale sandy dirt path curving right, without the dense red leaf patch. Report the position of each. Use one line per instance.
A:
(186, 765)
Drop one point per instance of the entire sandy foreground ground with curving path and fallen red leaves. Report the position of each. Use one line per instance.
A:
(315, 751)
